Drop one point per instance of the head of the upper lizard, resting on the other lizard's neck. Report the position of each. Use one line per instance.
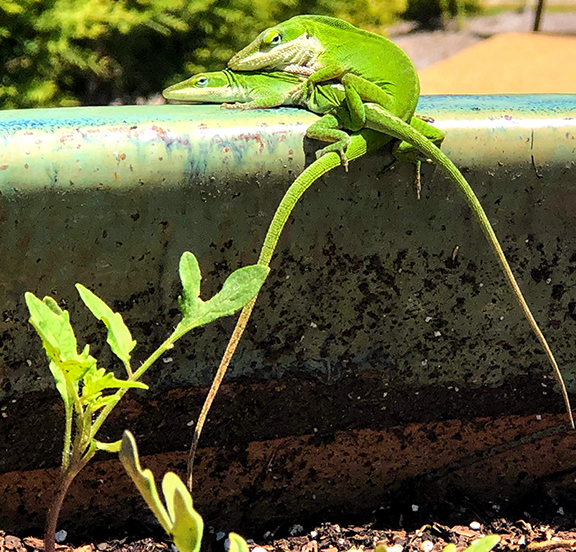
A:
(288, 46)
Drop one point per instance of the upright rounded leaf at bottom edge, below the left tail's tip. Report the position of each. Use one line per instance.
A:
(187, 525)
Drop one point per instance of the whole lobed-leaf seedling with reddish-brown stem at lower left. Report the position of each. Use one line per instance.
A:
(90, 393)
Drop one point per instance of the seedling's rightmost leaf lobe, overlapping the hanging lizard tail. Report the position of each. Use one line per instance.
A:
(238, 289)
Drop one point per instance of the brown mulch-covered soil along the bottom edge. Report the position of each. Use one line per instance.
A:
(328, 537)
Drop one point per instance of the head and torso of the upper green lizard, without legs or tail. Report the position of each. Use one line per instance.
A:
(325, 48)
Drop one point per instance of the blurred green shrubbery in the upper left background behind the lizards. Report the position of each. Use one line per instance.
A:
(93, 52)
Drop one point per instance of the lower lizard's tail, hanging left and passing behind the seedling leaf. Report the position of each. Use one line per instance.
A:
(361, 143)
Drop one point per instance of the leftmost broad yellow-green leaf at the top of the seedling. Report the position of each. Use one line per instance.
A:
(53, 326)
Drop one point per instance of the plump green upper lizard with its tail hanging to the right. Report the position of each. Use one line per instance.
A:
(372, 69)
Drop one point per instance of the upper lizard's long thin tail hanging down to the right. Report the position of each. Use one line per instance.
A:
(382, 121)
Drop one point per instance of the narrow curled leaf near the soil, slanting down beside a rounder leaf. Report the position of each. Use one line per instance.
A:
(143, 479)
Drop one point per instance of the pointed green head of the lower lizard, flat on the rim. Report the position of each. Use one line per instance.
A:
(216, 87)
